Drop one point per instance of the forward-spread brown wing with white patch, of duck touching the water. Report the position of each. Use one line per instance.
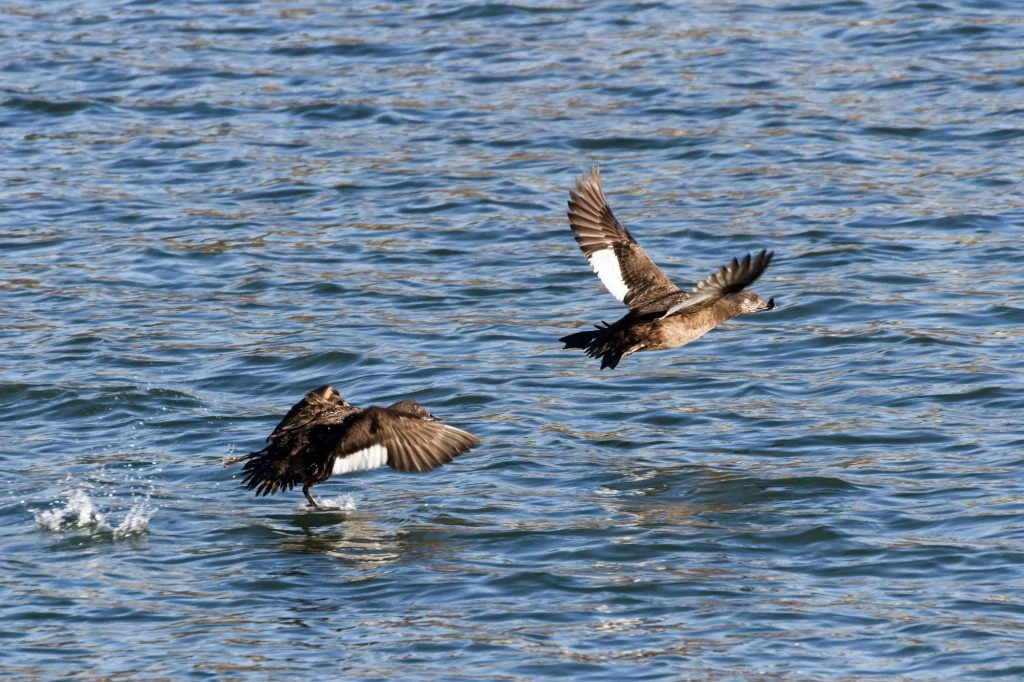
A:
(383, 437)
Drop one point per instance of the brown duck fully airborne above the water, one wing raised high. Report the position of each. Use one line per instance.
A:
(661, 316)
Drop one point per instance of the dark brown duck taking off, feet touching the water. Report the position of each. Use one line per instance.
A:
(324, 436)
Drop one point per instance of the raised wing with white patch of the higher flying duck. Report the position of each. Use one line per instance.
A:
(624, 268)
